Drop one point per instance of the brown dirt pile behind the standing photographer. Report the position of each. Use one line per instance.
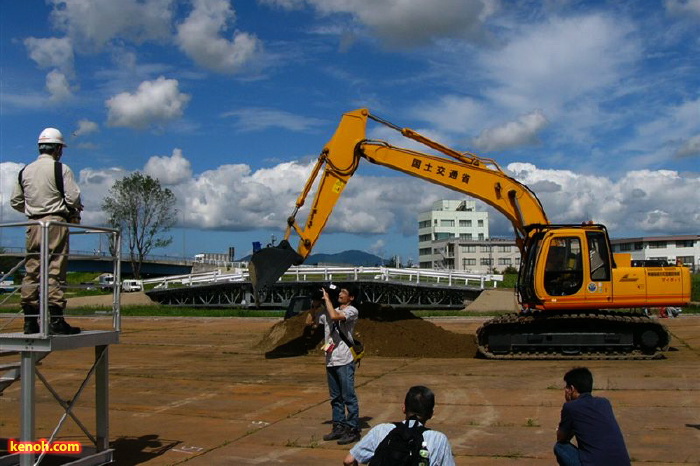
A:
(384, 332)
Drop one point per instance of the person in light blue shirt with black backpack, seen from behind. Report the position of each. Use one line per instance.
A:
(408, 442)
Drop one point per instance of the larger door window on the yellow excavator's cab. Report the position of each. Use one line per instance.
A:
(563, 273)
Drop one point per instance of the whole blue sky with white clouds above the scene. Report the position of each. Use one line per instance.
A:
(593, 104)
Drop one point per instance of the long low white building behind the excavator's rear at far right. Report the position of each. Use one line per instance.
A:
(685, 248)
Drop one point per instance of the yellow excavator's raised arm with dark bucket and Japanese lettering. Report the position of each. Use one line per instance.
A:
(461, 171)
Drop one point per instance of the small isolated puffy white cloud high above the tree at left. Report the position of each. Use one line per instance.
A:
(154, 102)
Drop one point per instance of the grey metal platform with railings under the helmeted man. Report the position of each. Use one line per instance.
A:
(33, 350)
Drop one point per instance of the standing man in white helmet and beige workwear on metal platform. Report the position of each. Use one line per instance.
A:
(46, 190)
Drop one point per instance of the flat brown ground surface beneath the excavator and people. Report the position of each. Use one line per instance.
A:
(197, 391)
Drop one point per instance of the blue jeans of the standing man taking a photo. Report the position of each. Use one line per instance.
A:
(341, 387)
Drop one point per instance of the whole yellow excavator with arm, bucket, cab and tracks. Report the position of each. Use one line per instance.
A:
(578, 299)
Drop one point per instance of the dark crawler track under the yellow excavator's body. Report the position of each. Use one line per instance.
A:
(592, 334)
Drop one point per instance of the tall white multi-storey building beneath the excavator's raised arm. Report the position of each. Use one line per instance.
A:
(449, 219)
